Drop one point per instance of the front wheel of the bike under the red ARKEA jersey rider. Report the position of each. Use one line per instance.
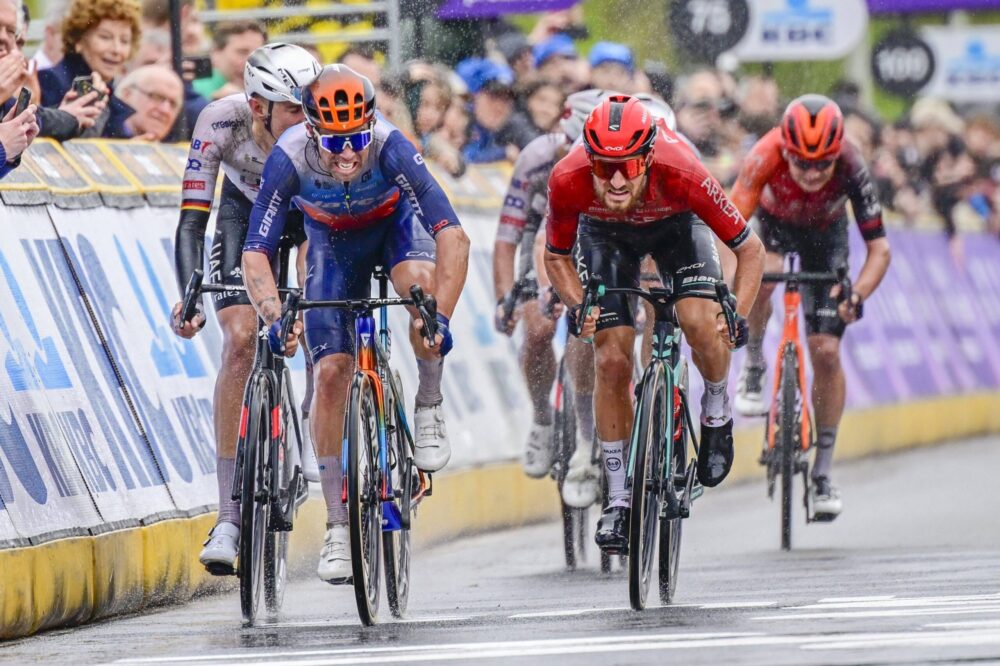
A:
(648, 433)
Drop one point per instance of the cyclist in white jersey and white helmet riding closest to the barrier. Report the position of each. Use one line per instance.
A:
(235, 135)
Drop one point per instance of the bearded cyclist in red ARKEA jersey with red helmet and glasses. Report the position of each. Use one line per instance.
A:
(634, 189)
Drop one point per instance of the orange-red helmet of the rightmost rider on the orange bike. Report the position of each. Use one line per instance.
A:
(813, 127)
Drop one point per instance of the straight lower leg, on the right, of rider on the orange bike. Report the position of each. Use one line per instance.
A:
(829, 392)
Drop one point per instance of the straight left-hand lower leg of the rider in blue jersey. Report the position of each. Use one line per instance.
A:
(331, 381)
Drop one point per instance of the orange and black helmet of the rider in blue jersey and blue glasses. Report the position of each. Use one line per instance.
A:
(339, 101)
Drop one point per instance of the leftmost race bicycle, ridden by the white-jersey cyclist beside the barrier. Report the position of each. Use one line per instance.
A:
(268, 480)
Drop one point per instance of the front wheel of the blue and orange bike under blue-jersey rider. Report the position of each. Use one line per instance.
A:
(363, 503)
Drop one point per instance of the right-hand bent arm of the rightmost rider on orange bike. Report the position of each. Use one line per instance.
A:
(868, 214)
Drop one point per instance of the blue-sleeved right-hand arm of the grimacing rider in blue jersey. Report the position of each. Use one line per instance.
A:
(402, 164)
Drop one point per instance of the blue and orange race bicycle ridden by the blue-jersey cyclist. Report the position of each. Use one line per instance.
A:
(382, 487)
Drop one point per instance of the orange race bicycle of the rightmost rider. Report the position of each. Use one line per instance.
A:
(789, 432)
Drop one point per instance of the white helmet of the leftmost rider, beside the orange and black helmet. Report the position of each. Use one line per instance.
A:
(277, 72)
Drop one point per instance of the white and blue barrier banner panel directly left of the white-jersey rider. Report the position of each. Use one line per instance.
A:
(125, 259)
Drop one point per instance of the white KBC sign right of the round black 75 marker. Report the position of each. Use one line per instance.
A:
(802, 30)
